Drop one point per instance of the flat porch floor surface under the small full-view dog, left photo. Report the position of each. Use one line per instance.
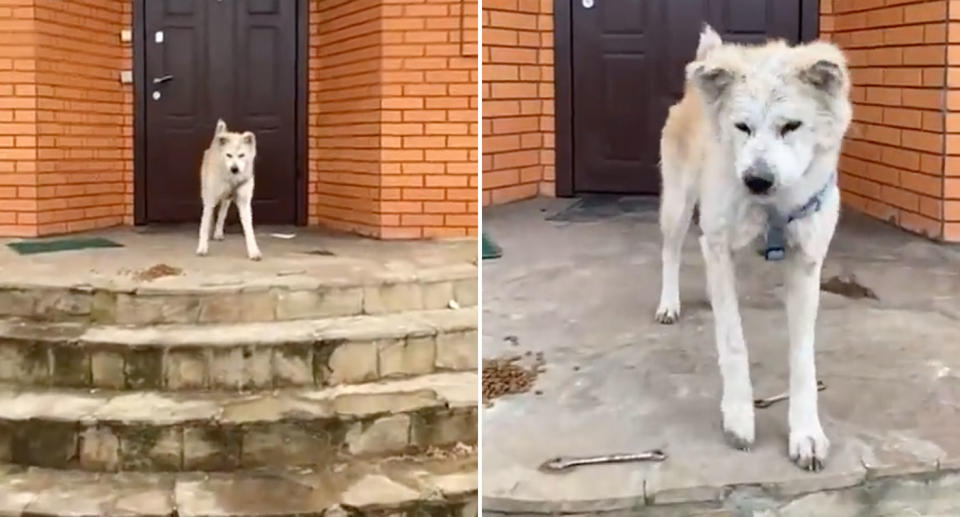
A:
(311, 255)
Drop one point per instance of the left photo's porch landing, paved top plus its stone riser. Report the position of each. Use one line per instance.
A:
(314, 275)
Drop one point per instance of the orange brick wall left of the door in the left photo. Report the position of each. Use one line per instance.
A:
(65, 139)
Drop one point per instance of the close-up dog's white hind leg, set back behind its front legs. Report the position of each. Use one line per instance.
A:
(676, 210)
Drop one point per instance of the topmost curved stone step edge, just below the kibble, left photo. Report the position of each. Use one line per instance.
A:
(123, 301)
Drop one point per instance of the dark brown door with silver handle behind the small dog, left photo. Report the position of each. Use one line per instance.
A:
(210, 59)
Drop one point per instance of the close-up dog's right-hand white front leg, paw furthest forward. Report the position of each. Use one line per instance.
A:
(808, 444)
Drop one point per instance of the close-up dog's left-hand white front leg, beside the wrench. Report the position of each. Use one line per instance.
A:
(737, 401)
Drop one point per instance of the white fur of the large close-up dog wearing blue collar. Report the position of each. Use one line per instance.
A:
(705, 158)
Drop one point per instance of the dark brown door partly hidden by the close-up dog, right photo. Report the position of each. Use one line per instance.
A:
(628, 66)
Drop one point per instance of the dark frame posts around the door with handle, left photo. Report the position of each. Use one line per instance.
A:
(140, 109)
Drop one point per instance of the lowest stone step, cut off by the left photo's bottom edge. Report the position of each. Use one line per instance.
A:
(396, 487)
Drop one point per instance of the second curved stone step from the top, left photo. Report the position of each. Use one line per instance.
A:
(239, 356)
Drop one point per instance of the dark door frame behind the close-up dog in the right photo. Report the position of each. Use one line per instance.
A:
(563, 77)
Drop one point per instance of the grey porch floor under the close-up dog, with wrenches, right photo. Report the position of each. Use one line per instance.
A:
(583, 293)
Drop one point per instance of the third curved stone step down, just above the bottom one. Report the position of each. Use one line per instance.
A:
(209, 431)
